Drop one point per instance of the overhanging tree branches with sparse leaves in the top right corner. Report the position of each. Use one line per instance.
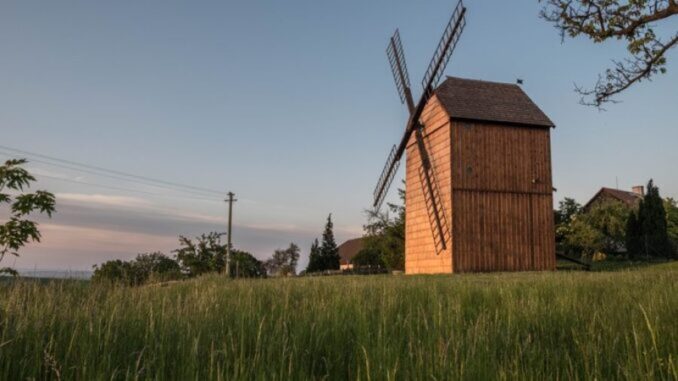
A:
(632, 21)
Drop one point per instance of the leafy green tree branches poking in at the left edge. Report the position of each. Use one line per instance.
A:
(18, 230)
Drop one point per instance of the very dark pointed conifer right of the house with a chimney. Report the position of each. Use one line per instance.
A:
(651, 232)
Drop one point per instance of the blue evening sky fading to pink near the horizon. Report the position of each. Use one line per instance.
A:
(291, 105)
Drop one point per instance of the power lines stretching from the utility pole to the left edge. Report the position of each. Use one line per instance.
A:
(110, 172)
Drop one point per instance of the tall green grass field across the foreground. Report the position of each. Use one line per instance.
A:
(539, 326)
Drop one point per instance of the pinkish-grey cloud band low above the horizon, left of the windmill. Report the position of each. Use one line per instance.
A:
(90, 228)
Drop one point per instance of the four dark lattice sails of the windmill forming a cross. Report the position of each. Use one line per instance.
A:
(426, 172)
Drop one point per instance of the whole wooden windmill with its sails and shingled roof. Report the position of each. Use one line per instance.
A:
(478, 181)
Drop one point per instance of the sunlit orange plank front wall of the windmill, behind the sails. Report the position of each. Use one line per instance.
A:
(420, 251)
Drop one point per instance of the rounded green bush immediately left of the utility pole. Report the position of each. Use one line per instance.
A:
(204, 255)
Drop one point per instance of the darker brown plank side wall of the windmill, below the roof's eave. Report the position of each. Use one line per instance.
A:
(502, 193)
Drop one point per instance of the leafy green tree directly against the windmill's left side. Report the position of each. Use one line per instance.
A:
(386, 235)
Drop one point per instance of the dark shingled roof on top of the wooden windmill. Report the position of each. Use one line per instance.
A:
(490, 101)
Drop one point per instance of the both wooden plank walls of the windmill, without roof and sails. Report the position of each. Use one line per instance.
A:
(494, 181)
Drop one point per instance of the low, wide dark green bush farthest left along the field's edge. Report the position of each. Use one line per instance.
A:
(144, 268)
